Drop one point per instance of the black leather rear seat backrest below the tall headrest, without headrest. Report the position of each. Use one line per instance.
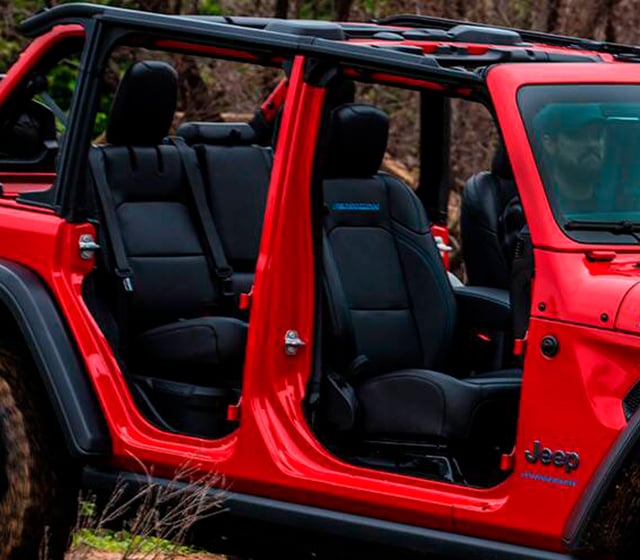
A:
(170, 269)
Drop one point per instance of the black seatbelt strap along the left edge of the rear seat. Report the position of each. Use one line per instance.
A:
(99, 175)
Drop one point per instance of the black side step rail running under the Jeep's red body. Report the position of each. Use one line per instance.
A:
(312, 526)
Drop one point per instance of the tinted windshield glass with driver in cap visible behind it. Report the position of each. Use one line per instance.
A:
(586, 141)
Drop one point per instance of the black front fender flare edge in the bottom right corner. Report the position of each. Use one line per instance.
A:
(601, 481)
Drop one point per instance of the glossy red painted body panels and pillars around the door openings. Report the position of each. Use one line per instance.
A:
(571, 401)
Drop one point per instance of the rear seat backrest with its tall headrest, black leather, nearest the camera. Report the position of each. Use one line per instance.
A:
(152, 203)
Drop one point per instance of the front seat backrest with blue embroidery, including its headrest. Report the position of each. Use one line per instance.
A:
(397, 299)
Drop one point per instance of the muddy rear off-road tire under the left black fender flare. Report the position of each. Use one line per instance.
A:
(38, 498)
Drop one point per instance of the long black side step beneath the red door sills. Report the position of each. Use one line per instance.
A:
(335, 524)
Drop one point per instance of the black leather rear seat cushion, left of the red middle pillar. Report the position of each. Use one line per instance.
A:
(209, 348)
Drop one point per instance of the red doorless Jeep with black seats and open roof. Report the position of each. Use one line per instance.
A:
(260, 300)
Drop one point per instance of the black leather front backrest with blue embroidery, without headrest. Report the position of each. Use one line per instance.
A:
(379, 236)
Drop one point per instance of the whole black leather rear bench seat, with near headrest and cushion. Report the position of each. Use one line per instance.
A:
(178, 349)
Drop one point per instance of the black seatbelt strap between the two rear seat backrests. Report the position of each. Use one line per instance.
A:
(221, 269)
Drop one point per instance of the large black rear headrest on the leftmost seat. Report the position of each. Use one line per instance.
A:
(144, 104)
